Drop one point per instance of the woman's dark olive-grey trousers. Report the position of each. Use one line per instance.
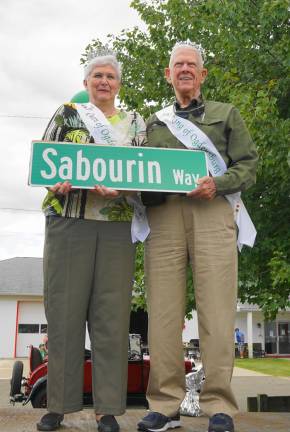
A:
(88, 272)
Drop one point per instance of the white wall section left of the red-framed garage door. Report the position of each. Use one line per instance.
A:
(8, 311)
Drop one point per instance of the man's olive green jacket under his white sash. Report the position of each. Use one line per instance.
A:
(223, 124)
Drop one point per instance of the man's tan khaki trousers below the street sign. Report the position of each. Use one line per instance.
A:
(203, 232)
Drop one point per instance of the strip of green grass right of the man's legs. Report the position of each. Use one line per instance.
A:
(275, 367)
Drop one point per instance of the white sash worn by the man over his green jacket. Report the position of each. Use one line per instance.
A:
(194, 138)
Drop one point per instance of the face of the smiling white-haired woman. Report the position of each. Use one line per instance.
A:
(102, 84)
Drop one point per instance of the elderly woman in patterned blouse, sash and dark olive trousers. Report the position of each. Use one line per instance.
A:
(89, 260)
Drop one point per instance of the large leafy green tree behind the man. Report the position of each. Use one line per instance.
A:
(247, 48)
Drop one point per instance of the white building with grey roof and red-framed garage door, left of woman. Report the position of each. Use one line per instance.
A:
(22, 319)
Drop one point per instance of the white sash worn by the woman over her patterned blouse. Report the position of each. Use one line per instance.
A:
(103, 133)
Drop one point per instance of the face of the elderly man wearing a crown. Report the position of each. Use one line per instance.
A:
(186, 74)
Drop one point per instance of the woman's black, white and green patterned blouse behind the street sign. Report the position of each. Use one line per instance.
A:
(67, 126)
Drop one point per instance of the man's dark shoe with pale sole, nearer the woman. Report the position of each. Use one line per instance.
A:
(157, 422)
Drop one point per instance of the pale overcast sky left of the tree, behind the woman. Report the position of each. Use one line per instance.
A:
(40, 49)
